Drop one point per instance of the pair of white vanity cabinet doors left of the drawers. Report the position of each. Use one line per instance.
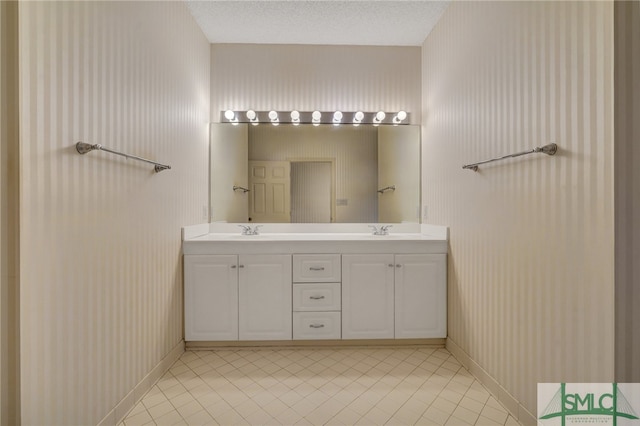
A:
(231, 297)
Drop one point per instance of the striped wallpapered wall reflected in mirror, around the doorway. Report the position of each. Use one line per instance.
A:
(354, 150)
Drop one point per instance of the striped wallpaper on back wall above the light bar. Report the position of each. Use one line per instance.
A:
(303, 77)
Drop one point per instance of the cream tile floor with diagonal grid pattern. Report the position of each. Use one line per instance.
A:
(337, 386)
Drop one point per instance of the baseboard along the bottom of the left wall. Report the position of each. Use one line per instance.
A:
(119, 412)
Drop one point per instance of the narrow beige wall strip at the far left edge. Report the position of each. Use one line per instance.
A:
(9, 354)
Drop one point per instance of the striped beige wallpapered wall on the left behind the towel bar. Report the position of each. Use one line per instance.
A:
(101, 275)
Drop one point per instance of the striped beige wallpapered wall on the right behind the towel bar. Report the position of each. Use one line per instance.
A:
(531, 266)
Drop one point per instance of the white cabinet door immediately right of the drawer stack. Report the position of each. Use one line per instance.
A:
(367, 296)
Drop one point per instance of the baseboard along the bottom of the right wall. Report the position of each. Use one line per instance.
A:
(505, 398)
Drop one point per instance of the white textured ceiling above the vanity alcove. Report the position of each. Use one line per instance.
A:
(356, 22)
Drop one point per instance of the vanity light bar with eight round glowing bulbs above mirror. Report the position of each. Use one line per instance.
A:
(311, 117)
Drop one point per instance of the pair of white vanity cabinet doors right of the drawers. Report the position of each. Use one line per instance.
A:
(394, 296)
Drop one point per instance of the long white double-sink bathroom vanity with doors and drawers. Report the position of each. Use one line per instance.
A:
(309, 282)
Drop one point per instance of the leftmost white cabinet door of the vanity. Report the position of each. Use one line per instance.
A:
(210, 297)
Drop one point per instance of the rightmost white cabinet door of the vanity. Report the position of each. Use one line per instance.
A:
(421, 296)
